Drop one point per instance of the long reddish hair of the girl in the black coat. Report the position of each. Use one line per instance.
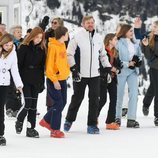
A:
(32, 35)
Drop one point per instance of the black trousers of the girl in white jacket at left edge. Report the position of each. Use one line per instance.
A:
(3, 96)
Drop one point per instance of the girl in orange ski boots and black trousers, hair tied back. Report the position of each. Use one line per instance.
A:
(110, 42)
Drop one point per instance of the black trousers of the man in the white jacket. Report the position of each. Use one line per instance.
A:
(76, 100)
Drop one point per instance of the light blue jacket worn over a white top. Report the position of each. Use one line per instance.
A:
(123, 52)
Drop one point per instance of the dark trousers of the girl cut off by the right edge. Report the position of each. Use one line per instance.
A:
(154, 80)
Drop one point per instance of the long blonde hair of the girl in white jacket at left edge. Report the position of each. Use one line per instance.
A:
(3, 40)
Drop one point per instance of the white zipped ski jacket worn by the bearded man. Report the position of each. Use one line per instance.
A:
(91, 49)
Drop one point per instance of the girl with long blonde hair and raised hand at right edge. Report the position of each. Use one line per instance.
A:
(150, 50)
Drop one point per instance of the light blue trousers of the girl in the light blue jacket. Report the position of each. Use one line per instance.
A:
(132, 80)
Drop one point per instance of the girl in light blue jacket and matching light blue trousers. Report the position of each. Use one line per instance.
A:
(130, 54)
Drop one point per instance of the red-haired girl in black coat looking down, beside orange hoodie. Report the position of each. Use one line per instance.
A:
(31, 59)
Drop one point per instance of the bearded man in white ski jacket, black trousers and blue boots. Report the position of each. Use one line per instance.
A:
(85, 52)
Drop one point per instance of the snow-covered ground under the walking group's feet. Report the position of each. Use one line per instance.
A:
(114, 144)
